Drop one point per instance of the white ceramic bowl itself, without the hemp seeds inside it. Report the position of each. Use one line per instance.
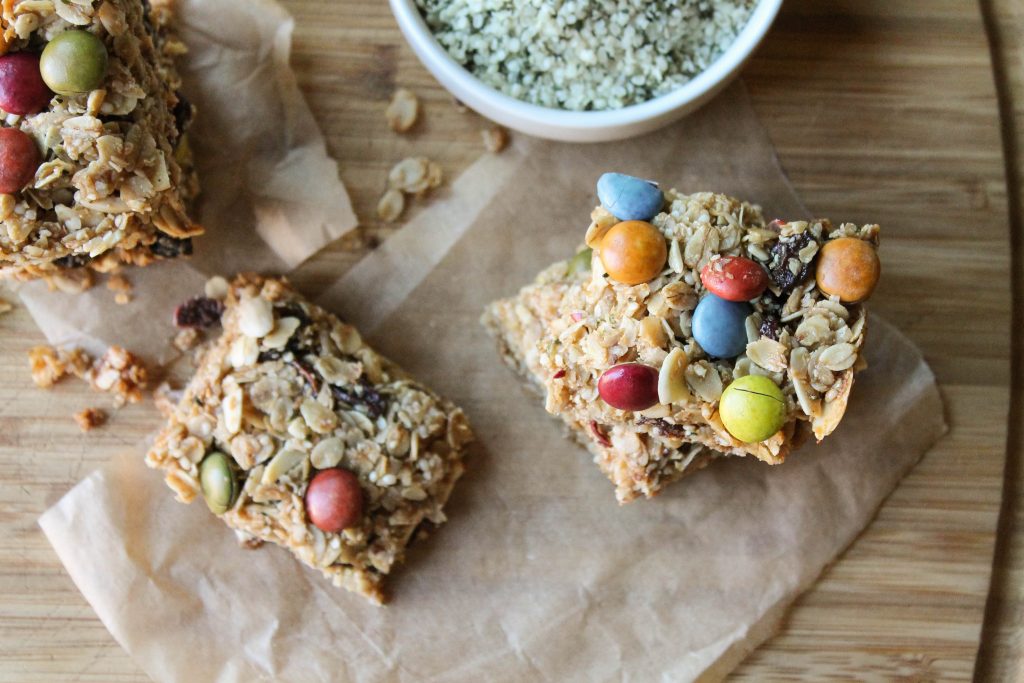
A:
(582, 126)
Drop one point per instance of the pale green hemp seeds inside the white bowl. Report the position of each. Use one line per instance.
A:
(581, 56)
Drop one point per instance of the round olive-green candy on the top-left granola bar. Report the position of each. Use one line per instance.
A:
(74, 62)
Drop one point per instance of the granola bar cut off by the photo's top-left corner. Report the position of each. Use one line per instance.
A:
(115, 178)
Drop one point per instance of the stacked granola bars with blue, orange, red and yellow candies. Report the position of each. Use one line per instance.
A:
(692, 328)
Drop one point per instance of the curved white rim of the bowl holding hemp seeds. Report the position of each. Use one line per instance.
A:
(730, 62)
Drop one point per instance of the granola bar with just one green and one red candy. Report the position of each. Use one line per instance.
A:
(298, 434)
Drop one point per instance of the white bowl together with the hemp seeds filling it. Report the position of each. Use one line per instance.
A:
(584, 71)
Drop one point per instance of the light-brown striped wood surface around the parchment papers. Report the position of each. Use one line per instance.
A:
(882, 111)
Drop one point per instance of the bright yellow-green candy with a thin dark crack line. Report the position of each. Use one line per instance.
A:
(753, 409)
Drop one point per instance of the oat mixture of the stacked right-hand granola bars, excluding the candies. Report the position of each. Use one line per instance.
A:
(575, 323)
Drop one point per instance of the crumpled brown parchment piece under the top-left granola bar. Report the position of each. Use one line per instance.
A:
(272, 196)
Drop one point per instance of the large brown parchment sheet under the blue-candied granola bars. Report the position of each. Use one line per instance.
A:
(539, 575)
